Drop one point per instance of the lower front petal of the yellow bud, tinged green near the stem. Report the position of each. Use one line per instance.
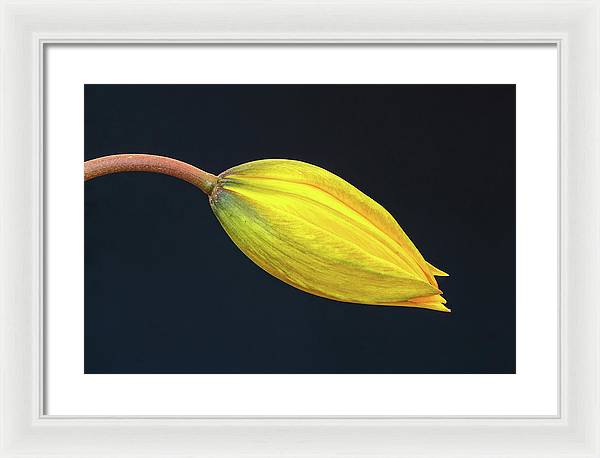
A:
(309, 257)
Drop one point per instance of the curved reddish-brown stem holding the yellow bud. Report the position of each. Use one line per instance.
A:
(119, 163)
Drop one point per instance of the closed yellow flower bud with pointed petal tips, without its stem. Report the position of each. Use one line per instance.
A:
(318, 233)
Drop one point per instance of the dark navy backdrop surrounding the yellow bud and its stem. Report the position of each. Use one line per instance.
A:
(166, 291)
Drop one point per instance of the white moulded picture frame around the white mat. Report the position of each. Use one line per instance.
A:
(29, 26)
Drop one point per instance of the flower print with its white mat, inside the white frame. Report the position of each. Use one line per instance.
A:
(210, 318)
